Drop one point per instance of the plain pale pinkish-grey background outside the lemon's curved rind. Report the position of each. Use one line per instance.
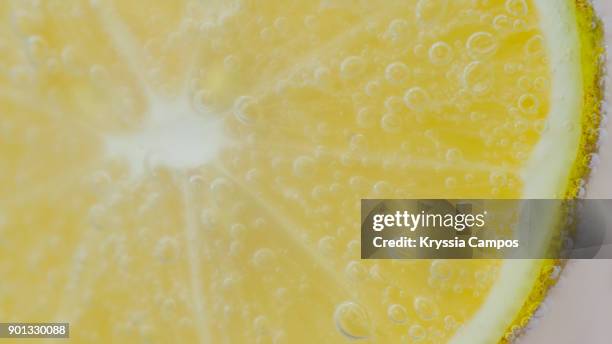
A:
(579, 308)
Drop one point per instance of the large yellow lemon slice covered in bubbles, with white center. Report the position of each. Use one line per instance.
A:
(193, 169)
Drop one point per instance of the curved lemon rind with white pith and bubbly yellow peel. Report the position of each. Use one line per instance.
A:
(566, 154)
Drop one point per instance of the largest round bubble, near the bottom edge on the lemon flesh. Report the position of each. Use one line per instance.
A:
(352, 320)
